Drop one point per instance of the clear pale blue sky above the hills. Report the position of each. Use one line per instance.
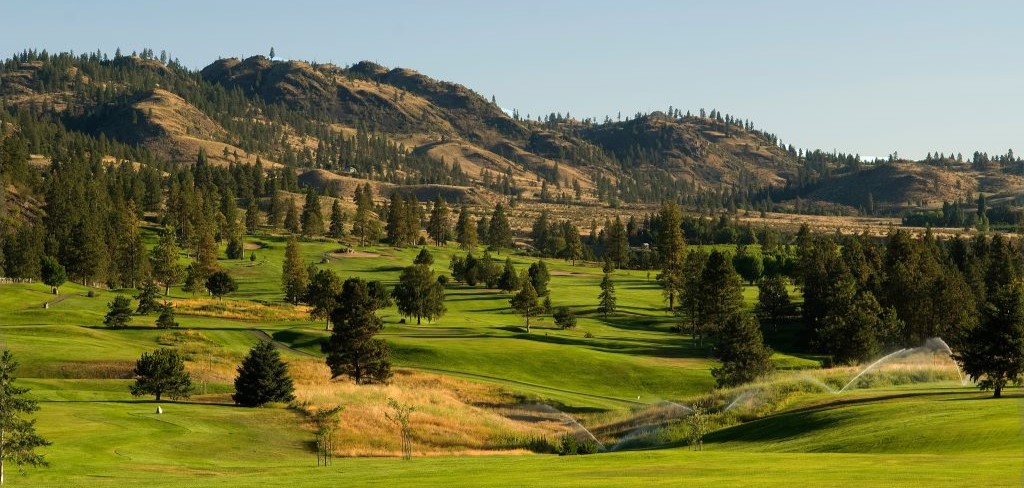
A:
(867, 77)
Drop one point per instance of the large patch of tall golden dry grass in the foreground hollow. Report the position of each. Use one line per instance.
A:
(453, 417)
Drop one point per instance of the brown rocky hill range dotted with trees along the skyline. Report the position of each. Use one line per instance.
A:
(402, 127)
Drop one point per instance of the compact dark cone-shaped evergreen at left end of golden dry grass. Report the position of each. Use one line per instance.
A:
(263, 378)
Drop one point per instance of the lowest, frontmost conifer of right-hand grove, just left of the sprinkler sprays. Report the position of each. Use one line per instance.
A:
(742, 350)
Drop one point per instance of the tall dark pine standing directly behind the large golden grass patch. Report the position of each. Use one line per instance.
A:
(353, 350)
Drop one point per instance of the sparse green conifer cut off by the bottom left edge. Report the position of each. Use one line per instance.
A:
(19, 439)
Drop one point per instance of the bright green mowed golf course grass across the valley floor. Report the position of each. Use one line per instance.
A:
(932, 435)
